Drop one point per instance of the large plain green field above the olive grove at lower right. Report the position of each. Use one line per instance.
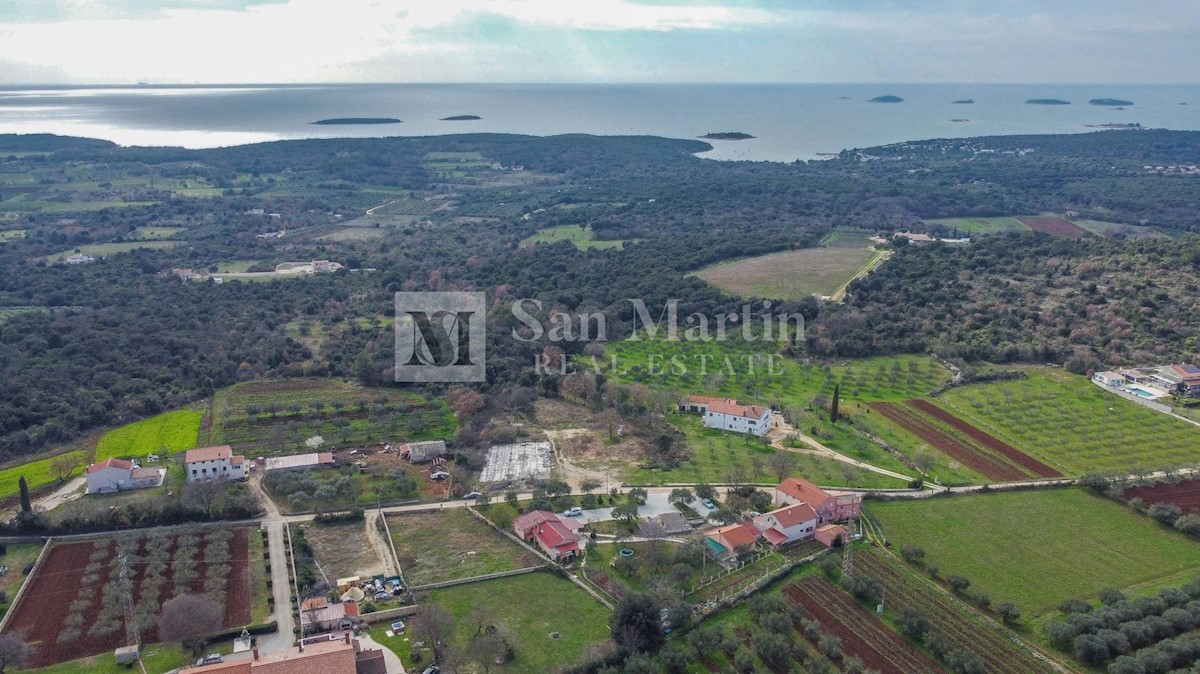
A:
(1039, 549)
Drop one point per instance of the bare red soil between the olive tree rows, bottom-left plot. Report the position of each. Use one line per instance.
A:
(57, 583)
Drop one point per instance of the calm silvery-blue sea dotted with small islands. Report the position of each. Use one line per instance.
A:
(789, 122)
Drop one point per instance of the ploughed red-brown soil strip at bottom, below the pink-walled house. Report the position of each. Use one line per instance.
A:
(861, 633)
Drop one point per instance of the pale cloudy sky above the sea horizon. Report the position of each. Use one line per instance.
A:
(598, 41)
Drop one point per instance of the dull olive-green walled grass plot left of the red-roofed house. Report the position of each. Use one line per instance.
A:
(453, 544)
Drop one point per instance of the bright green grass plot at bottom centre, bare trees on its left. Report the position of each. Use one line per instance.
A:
(531, 607)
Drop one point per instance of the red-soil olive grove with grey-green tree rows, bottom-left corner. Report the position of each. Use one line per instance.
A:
(75, 606)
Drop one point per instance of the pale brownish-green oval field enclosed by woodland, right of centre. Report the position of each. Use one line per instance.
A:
(790, 275)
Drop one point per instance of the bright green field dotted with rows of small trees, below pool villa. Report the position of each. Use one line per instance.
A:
(1073, 425)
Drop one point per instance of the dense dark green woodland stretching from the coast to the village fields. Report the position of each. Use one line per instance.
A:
(122, 338)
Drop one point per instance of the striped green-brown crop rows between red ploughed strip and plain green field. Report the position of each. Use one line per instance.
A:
(951, 618)
